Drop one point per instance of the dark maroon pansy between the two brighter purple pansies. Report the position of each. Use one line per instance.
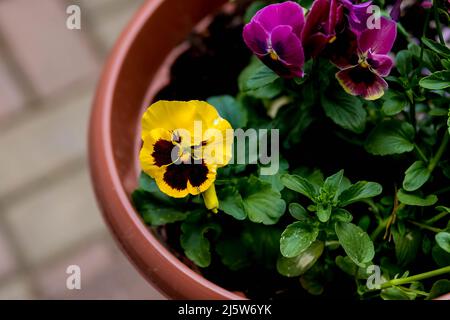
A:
(320, 26)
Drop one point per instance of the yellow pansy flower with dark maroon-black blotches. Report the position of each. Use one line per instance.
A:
(183, 145)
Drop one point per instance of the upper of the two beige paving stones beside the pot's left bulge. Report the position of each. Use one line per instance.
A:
(44, 140)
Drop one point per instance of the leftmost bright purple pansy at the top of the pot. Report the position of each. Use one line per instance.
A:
(274, 35)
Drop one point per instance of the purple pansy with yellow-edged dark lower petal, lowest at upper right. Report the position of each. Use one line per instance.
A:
(365, 78)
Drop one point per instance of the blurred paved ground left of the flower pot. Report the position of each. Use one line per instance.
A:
(48, 215)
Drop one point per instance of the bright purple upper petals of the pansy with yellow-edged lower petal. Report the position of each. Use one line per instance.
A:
(379, 41)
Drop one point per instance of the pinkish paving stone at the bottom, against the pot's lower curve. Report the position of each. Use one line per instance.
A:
(105, 274)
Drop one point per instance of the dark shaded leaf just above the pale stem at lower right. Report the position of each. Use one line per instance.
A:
(407, 246)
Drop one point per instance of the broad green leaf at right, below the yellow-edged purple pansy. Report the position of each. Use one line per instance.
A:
(391, 137)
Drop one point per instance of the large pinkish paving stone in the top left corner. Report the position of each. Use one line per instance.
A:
(50, 55)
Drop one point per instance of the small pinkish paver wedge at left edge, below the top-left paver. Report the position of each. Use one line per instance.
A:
(11, 97)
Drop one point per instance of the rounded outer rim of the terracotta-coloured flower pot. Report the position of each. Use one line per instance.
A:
(101, 156)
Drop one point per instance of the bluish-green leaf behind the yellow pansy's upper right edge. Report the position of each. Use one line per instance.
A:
(230, 109)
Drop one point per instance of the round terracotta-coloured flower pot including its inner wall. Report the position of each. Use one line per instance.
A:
(136, 69)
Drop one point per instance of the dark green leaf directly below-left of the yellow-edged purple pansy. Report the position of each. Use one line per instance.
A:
(345, 110)
